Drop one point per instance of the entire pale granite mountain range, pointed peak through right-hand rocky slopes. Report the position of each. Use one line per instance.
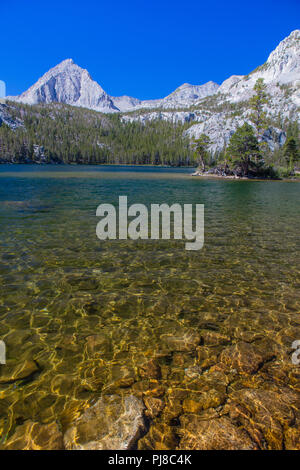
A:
(215, 110)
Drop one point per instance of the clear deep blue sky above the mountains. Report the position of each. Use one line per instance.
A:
(141, 48)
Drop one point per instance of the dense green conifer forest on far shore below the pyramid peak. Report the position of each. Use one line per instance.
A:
(65, 134)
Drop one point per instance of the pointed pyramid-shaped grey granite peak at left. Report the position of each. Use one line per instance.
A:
(70, 84)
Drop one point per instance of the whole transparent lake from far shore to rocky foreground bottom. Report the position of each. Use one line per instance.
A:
(141, 344)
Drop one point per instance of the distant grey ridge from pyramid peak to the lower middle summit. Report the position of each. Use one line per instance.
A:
(70, 84)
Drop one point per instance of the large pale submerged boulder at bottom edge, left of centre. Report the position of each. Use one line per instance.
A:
(113, 423)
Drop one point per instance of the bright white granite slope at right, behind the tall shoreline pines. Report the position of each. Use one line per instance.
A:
(220, 114)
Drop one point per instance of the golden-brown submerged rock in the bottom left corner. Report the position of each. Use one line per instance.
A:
(35, 436)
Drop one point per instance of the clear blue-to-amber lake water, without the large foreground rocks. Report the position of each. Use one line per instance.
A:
(59, 284)
